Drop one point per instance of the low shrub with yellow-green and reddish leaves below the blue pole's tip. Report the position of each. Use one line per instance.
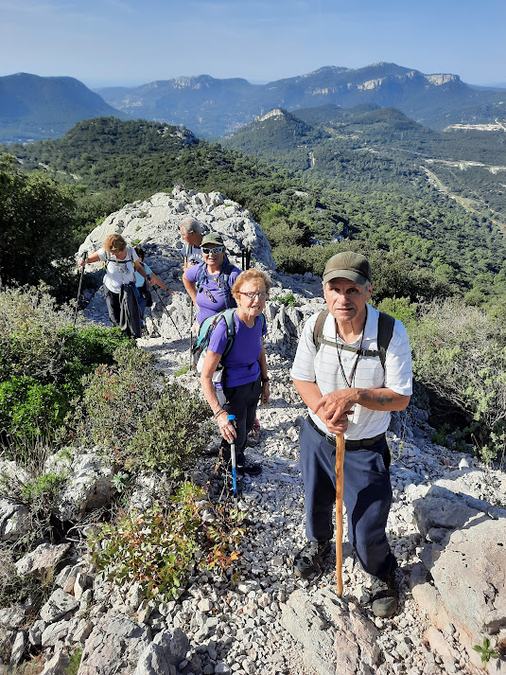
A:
(160, 547)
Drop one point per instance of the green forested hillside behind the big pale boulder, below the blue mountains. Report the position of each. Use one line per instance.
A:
(383, 205)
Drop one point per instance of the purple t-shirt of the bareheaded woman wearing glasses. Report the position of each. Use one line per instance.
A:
(241, 364)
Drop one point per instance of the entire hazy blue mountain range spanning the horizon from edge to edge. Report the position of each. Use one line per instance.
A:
(33, 107)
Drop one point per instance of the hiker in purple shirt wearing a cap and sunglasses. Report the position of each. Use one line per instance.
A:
(209, 283)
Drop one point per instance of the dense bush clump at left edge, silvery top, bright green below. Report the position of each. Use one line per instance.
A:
(43, 359)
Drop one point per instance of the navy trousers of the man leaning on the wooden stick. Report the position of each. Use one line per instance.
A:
(367, 497)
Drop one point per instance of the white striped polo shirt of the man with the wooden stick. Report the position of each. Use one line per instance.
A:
(323, 368)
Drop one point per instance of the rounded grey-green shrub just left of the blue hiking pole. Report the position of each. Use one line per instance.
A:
(171, 434)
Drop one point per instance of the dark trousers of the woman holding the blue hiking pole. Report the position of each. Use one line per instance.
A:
(242, 402)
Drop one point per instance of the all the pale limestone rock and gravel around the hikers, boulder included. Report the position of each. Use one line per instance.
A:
(446, 525)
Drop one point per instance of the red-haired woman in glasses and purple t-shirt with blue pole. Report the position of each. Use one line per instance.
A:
(245, 378)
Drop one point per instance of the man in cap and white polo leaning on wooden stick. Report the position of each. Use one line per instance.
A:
(351, 369)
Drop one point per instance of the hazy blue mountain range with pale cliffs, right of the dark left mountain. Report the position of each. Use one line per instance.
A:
(212, 108)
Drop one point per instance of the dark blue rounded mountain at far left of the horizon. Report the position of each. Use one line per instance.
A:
(33, 107)
